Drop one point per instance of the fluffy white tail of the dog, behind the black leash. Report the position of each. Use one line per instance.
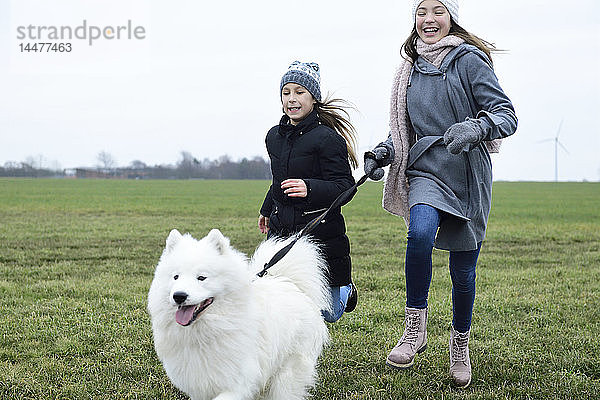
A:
(304, 265)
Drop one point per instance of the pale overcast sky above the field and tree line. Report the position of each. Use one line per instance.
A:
(205, 77)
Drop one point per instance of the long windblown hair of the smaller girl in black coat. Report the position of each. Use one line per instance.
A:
(333, 113)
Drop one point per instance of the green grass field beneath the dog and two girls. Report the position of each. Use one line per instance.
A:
(77, 258)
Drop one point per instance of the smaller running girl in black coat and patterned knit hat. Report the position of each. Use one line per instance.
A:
(311, 150)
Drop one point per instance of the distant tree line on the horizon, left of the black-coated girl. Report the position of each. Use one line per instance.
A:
(188, 167)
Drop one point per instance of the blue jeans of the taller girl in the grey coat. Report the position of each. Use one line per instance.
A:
(424, 223)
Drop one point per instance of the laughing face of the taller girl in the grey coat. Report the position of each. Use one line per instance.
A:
(432, 21)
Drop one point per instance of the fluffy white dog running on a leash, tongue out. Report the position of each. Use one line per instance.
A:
(223, 333)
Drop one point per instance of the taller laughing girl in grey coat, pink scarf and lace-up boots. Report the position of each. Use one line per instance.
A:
(448, 112)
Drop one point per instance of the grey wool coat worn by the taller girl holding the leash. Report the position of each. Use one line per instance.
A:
(463, 87)
